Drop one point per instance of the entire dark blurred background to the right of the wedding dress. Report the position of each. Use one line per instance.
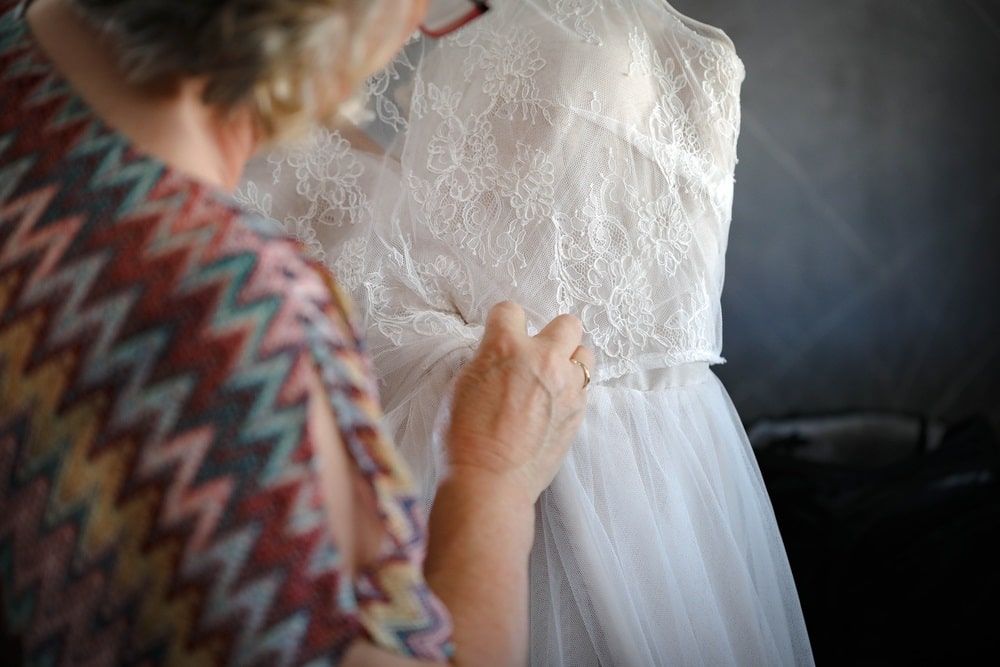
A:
(861, 309)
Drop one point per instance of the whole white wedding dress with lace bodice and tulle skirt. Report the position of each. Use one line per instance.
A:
(575, 156)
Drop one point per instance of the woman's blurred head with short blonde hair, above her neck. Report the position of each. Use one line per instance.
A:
(292, 61)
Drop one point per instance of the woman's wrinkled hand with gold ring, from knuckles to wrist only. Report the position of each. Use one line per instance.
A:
(519, 401)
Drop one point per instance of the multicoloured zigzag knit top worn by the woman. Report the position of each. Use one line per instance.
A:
(159, 497)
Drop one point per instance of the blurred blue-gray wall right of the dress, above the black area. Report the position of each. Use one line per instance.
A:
(863, 264)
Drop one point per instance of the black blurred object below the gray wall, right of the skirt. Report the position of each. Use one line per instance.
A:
(895, 562)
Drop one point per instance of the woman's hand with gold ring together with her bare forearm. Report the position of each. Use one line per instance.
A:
(518, 403)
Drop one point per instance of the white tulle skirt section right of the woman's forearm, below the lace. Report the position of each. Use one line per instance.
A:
(657, 544)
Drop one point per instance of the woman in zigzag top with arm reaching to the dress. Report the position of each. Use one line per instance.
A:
(192, 470)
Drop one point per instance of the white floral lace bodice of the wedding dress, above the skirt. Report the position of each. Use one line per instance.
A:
(570, 160)
